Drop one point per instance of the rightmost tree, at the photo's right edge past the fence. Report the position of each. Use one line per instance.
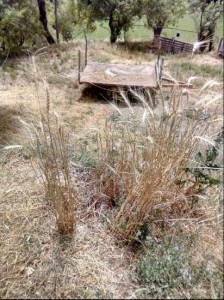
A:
(206, 14)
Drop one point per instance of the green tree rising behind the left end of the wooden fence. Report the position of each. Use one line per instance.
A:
(160, 13)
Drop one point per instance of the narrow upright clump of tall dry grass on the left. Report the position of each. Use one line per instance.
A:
(51, 145)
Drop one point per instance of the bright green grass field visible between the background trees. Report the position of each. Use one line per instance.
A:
(185, 26)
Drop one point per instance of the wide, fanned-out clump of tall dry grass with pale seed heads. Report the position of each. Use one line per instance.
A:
(143, 161)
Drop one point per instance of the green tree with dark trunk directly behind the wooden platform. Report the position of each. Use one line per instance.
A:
(118, 13)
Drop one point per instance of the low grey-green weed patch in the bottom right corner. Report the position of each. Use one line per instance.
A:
(167, 269)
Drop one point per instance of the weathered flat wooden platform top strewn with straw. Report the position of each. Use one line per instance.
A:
(122, 75)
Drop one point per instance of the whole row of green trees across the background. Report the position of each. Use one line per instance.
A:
(22, 20)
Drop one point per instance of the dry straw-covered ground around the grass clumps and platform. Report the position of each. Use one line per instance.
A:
(35, 261)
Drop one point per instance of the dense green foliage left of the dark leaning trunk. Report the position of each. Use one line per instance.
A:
(18, 23)
